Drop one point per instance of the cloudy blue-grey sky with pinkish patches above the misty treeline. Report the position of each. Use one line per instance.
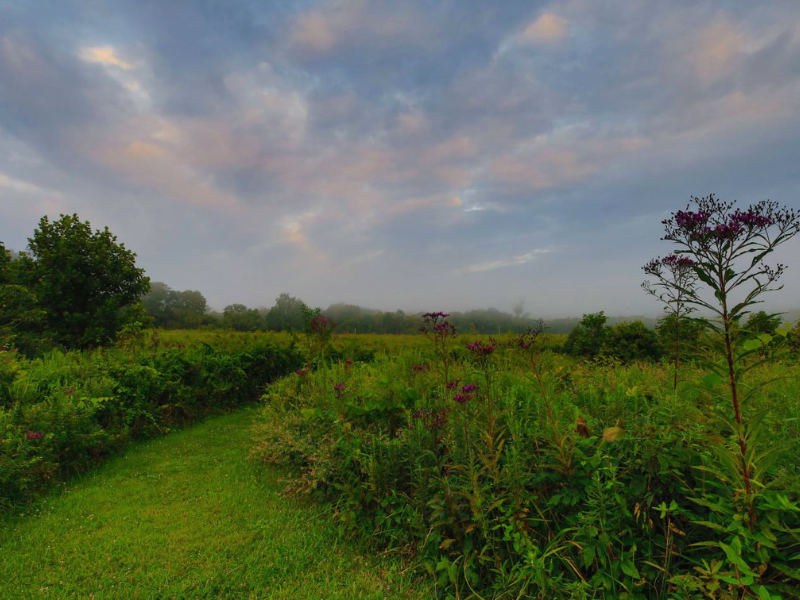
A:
(418, 155)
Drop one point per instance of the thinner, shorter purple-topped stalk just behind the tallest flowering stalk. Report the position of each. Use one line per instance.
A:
(674, 279)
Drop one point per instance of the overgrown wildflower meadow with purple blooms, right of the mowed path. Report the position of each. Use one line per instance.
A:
(508, 469)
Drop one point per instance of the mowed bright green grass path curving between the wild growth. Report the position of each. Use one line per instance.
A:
(187, 516)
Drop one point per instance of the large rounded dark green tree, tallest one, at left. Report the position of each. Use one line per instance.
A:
(82, 279)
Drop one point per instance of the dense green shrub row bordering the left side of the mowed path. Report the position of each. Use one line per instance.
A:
(65, 412)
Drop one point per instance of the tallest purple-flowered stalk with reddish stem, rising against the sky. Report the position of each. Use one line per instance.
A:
(728, 246)
